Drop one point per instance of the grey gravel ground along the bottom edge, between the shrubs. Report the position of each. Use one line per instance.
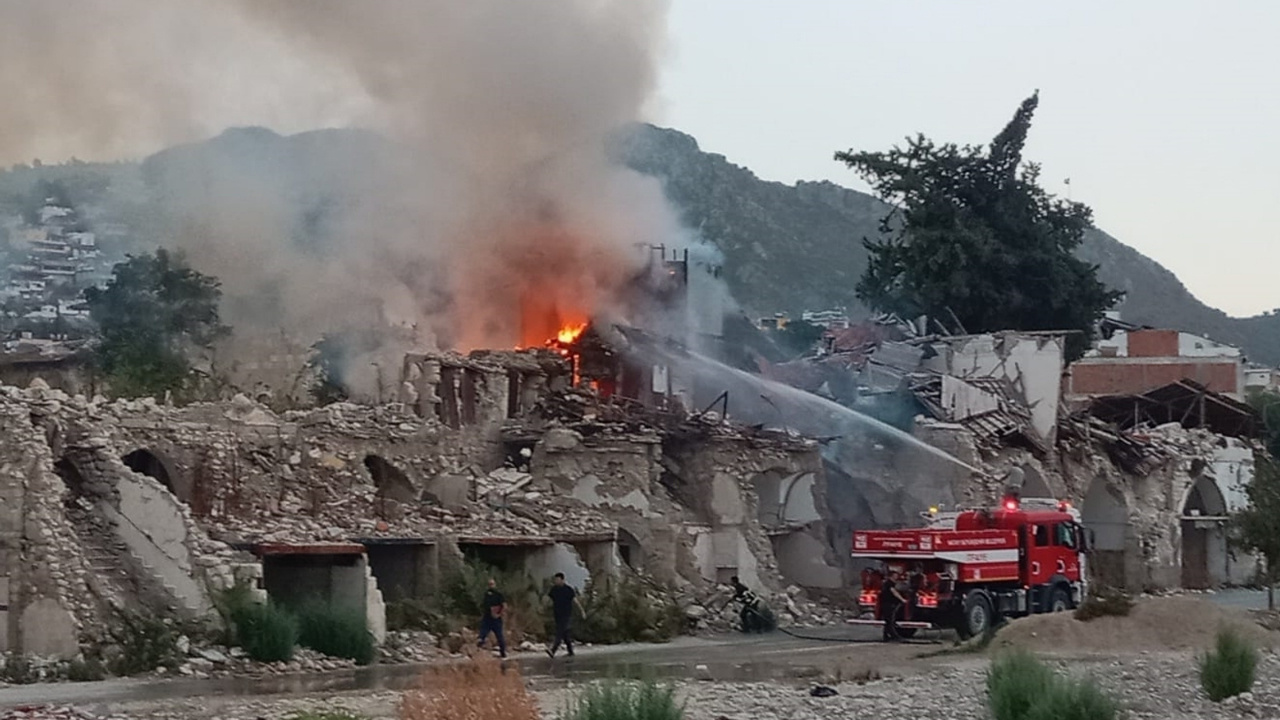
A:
(1155, 686)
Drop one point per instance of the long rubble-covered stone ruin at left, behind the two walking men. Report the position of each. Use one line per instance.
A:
(136, 505)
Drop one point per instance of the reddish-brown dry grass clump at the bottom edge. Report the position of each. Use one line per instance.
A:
(479, 689)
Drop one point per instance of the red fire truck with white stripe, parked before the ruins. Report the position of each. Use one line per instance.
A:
(968, 569)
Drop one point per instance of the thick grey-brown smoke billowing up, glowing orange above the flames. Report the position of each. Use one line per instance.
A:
(484, 213)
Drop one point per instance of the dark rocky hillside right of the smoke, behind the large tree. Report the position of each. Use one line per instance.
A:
(799, 248)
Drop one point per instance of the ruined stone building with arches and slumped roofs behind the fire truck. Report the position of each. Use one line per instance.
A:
(1156, 475)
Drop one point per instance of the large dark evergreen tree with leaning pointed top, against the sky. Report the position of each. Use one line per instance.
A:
(973, 239)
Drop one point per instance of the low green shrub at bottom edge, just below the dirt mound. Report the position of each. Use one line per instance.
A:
(1021, 687)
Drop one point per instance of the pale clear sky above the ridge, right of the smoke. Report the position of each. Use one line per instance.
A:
(1165, 115)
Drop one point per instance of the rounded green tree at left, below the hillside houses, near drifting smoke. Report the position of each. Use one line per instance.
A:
(152, 316)
